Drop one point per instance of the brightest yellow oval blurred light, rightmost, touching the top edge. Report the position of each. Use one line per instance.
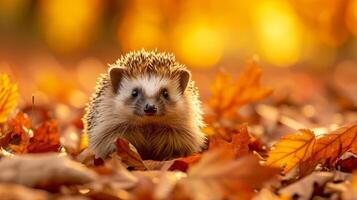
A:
(278, 32)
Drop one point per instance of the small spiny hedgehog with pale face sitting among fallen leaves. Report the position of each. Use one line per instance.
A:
(148, 99)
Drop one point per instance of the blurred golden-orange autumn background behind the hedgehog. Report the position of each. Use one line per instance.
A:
(55, 49)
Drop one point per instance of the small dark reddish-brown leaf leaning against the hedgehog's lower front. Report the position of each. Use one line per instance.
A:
(129, 155)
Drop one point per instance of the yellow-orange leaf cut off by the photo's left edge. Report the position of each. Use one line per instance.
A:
(8, 97)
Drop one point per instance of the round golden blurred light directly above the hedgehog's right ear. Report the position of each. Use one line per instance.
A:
(199, 44)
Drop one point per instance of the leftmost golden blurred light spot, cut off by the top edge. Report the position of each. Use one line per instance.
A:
(68, 25)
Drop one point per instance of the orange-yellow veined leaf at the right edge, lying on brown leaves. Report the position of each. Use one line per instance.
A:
(305, 150)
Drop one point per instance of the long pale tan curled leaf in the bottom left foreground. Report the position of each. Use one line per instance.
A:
(44, 171)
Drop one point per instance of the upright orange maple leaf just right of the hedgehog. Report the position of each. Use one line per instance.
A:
(228, 95)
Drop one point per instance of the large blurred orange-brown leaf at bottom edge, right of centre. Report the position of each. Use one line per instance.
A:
(217, 175)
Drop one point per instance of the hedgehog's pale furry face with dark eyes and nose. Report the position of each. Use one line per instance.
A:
(151, 98)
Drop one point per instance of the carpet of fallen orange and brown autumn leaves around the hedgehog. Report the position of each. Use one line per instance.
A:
(50, 160)
